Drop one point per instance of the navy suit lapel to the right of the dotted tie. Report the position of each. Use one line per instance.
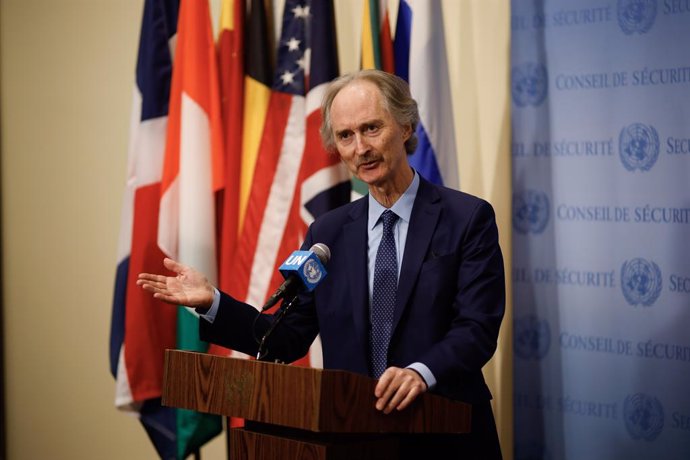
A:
(423, 220)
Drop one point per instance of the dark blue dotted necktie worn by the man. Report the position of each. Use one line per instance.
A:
(383, 298)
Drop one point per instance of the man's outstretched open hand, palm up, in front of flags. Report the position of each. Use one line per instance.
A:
(189, 288)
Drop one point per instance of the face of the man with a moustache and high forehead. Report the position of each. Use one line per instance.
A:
(368, 139)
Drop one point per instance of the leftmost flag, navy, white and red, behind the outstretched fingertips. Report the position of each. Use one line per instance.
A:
(141, 327)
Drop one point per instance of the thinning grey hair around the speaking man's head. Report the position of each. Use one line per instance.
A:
(397, 101)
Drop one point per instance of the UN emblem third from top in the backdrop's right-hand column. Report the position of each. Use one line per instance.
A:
(641, 282)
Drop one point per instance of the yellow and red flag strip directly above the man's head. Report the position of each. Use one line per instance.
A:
(377, 43)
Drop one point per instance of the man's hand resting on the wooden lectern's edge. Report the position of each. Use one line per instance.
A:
(397, 388)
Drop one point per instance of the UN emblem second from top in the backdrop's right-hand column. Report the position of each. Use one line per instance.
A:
(638, 146)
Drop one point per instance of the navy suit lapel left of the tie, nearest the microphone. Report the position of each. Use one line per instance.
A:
(356, 241)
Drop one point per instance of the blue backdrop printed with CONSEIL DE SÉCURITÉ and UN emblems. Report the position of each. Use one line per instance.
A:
(601, 223)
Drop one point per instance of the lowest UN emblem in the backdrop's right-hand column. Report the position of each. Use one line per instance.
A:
(644, 416)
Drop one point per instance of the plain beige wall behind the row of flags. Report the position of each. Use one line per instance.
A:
(66, 75)
